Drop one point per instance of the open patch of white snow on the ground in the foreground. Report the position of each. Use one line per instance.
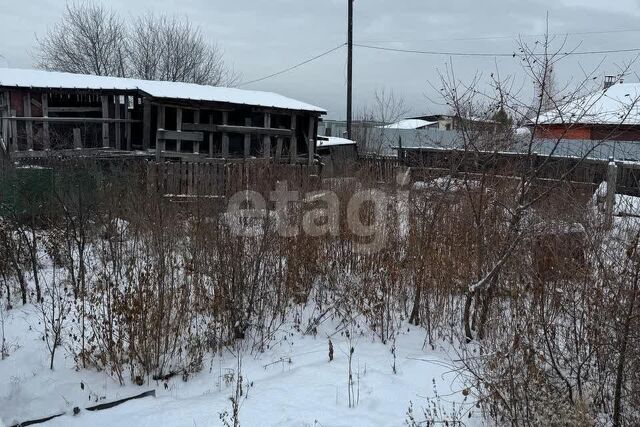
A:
(292, 383)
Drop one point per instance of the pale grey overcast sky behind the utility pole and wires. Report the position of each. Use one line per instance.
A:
(260, 37)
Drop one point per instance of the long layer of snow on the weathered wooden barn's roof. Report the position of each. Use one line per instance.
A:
(158, 89)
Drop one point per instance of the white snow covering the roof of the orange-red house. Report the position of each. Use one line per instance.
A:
(618, 104)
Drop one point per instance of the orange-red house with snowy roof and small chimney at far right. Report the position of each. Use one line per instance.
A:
(612, 113)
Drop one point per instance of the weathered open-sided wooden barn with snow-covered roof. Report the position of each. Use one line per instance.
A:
(42, 111)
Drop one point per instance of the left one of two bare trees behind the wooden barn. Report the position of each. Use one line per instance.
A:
(89, 39)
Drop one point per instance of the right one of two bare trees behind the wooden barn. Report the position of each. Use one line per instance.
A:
(173, 49)
